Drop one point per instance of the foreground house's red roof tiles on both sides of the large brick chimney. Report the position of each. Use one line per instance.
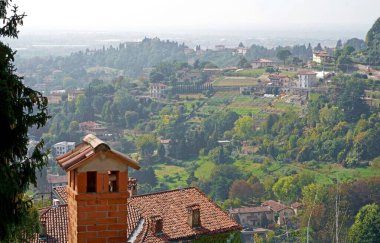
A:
(171, 206)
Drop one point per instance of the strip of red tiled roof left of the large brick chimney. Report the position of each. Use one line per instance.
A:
(56, 224)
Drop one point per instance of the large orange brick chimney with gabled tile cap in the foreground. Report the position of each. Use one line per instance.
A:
(97, 191)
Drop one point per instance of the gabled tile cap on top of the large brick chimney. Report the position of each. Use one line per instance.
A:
(89, 148)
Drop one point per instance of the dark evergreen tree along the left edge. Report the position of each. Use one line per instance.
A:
(21, 108)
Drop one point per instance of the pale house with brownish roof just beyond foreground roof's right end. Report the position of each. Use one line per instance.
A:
(253, 217)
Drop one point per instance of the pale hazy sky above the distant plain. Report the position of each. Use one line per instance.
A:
(203, 15)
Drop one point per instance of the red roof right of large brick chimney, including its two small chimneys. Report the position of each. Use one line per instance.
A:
(180, 215)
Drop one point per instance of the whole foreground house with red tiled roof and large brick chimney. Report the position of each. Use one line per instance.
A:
(100, 204)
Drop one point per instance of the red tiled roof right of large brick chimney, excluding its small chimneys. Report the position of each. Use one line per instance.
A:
(172, 206)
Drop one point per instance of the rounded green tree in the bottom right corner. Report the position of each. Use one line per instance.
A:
(367, 225)
